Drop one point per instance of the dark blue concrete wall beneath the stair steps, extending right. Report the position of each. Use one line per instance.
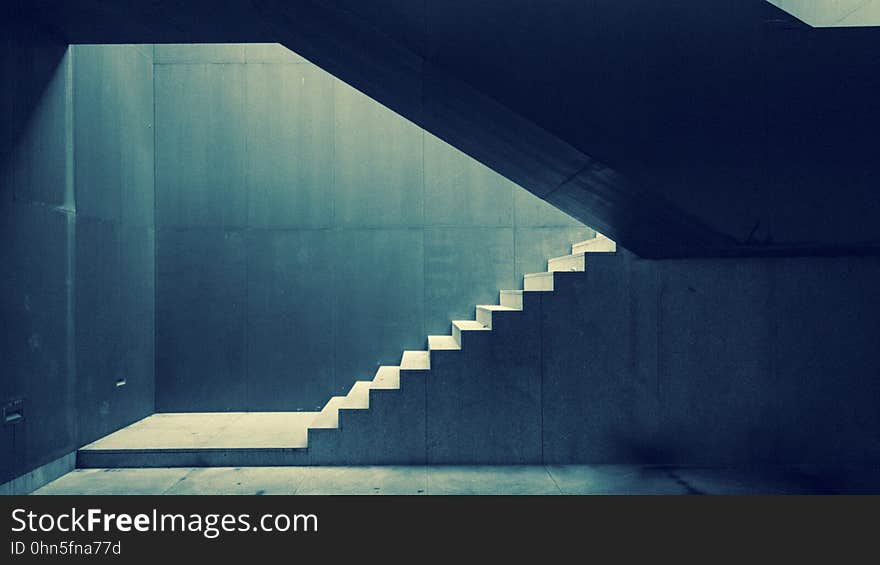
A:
(698, 362)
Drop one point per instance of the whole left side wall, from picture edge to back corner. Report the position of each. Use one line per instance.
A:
(76, 243)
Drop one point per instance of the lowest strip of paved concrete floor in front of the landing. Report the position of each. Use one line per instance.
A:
(470, 480)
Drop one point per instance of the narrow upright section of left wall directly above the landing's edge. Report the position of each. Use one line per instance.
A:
(115, 236)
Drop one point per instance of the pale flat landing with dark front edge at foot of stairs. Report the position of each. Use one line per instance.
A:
(203, 439)
